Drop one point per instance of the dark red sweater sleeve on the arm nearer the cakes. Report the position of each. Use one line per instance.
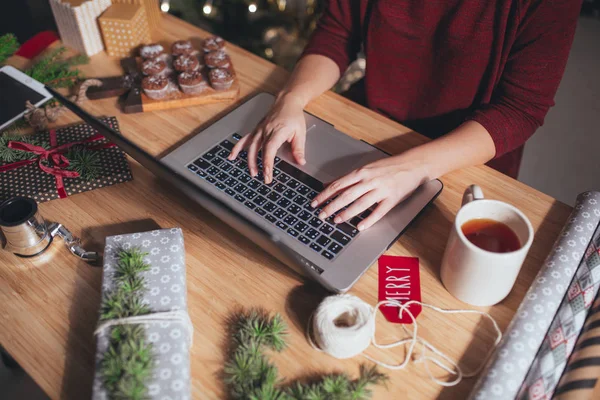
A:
(337, 35)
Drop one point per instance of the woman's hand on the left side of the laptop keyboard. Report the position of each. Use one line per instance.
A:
(283, 123)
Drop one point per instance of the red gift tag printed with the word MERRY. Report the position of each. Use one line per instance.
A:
(399, 280)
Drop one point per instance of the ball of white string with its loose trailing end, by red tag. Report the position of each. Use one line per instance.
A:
(344, 326)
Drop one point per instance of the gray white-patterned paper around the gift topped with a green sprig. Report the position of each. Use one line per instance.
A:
(166, 285)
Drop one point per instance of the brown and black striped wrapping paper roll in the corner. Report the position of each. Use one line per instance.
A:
(581, 379)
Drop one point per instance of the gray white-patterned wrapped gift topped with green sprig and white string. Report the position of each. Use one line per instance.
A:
(144, 334)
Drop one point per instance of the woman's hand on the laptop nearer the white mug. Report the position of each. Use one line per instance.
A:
(385, 182)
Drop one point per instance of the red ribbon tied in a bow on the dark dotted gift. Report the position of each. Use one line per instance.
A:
(53, 161)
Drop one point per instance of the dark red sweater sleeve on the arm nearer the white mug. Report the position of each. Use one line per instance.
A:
(534, 68)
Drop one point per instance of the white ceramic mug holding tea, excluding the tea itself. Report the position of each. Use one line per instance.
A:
(472, 274)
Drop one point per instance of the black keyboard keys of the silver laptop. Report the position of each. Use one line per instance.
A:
(285, 202)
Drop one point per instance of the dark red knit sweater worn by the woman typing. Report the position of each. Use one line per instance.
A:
(432, 64)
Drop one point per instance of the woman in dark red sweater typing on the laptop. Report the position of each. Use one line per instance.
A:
(476, 76)
